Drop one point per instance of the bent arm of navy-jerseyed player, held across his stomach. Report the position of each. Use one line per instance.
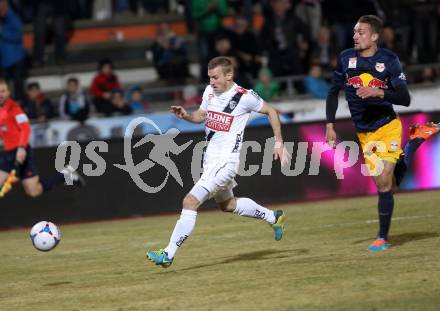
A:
(399, 95)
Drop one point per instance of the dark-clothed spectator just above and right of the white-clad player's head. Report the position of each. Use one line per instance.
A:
(245, 43)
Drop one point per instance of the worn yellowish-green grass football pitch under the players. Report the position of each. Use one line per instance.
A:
(233, 263)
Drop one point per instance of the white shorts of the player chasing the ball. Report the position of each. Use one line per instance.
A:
(218, 180)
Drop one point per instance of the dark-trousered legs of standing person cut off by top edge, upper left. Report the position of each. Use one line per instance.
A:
(56, 12)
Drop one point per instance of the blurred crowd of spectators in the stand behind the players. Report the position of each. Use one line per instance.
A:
(298, 37)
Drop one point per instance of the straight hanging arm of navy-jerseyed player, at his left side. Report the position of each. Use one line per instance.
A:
(332, 104)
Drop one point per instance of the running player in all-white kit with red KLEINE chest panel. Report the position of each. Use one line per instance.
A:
(225, 109)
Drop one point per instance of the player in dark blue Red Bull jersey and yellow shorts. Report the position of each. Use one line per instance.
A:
(373, 81)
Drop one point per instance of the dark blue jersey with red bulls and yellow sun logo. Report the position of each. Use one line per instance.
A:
(382, 70)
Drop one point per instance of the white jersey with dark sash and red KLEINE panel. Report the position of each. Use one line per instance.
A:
(226, 116)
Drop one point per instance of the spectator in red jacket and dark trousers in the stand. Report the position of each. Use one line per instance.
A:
(102, 86)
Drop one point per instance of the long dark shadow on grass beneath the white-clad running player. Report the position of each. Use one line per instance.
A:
(251, 256)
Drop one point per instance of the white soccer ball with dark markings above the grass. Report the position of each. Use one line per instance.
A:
(45, 236)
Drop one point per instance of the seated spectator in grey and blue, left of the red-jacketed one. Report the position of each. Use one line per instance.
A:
(74, 104)
